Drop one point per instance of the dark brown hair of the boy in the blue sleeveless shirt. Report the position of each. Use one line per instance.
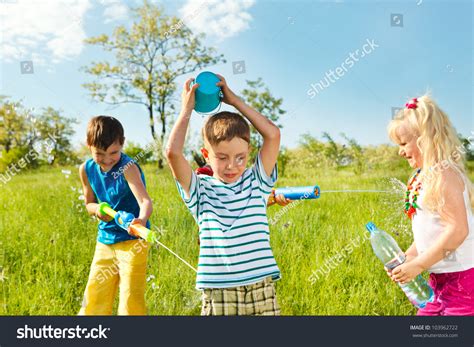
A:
(102, 131)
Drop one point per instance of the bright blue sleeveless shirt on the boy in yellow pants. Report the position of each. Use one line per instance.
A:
(113, 188)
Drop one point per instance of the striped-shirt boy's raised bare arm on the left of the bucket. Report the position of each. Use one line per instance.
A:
(180, 167)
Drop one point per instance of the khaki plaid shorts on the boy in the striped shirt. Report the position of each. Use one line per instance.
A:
(258, 299)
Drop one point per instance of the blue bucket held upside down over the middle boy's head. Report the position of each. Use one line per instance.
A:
(208, 95)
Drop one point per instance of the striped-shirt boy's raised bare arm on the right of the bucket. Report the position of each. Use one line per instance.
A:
(269, 131)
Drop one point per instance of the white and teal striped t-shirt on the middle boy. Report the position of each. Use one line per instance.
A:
(233, 228)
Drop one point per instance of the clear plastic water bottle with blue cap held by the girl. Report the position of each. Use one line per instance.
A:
(387, 250)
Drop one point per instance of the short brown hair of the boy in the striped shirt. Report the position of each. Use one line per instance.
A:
(224, 126)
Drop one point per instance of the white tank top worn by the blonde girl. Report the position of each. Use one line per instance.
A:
(427, 227)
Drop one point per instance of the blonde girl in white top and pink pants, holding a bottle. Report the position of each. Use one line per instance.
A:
(439, 201)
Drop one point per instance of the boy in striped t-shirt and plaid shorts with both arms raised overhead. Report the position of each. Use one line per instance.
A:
(236, 266)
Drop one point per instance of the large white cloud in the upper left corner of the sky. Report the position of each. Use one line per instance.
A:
(45, 31)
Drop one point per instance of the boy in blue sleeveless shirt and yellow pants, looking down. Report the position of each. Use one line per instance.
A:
(120, 259)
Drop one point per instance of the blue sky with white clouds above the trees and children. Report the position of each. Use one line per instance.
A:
(290, 44)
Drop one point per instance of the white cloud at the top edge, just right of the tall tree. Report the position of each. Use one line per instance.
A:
(219, 18)
